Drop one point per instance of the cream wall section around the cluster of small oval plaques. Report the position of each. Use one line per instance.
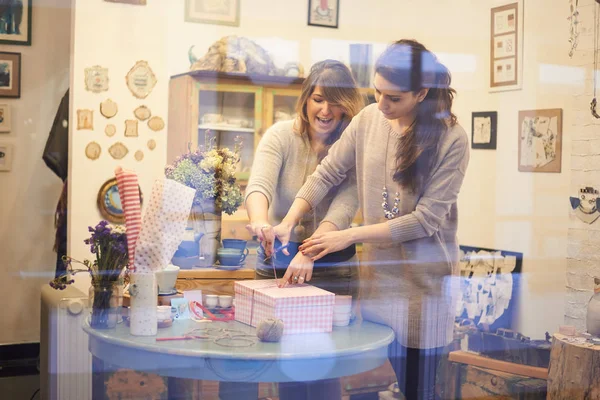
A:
(114, 36)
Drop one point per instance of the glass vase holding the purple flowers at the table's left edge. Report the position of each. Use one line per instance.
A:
(104, 304)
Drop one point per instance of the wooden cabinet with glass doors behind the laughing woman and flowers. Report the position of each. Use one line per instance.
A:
(228, 105)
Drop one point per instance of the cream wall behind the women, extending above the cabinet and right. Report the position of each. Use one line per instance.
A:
(500, 207)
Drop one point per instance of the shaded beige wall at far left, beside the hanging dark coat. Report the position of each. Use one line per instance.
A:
(30, 190)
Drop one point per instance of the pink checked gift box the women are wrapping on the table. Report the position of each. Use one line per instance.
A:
(302, 308)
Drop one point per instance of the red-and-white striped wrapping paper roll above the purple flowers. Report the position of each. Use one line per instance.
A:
(129, 193)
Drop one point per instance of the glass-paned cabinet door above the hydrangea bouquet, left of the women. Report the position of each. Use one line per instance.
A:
(227, 111)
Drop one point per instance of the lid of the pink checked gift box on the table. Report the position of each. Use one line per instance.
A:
(294, 296)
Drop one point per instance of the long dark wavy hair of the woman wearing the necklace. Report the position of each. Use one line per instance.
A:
(409, 65)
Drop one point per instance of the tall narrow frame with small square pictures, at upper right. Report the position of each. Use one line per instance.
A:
(506, 46)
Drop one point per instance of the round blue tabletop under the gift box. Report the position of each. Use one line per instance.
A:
(345, 351)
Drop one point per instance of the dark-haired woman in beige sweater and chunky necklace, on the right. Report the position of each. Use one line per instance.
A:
(410, 156)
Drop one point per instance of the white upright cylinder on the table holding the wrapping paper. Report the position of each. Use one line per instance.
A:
(144, 302)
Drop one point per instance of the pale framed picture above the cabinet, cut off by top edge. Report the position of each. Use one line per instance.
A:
(225, 12)
